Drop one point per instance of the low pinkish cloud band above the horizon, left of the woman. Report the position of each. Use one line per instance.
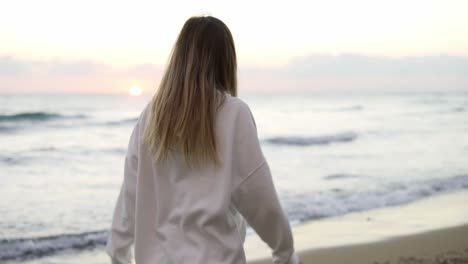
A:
(76, 76)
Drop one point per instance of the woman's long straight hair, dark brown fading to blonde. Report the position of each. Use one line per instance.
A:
(201, 69)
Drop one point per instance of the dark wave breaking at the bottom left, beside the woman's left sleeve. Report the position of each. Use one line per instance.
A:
(26, 248)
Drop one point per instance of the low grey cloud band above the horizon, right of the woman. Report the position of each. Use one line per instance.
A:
(360, 72)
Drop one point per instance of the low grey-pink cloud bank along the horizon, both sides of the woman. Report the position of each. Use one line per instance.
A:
(316, 72)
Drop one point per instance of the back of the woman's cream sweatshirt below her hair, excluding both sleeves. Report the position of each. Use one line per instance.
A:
(188, 210)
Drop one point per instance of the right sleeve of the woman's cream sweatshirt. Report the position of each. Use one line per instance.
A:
(255, 197)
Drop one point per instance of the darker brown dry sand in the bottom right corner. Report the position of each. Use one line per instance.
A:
(429, 247)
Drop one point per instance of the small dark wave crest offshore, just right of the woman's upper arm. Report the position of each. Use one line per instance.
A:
(310, 141)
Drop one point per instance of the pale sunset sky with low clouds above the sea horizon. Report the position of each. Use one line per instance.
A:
(104, 46)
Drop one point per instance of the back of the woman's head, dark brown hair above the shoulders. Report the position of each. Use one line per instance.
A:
(205, 48)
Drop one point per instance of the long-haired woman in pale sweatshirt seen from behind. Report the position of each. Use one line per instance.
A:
(194, 161)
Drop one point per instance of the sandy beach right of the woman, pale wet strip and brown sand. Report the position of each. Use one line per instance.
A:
(419, 231)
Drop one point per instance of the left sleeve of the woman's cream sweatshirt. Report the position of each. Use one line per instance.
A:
(121, 235)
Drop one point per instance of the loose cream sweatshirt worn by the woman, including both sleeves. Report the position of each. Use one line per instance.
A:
(178, 215)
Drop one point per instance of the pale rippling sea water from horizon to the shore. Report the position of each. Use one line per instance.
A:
(61, 158)
